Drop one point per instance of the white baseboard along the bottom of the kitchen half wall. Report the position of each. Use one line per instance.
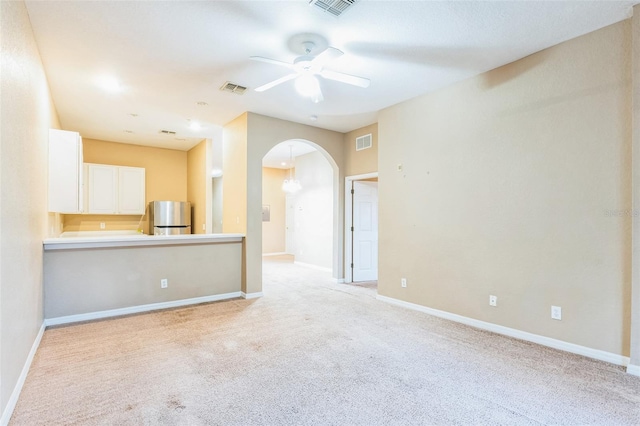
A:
(137, 309)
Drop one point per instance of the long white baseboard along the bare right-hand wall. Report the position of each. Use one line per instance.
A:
(518, 334)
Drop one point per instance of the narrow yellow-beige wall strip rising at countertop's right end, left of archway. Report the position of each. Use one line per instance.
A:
(234, 184)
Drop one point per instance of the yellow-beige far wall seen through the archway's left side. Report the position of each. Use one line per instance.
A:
(273, 231)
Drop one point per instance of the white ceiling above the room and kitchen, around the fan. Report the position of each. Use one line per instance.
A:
(170, 55)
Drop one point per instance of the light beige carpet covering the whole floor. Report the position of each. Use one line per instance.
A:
(311, 352)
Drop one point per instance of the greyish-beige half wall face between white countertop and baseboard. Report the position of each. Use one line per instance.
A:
(91, 280)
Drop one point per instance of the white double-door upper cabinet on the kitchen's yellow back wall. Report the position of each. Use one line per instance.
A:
(115, 189)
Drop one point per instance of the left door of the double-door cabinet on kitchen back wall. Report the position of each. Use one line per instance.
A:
(103, 184)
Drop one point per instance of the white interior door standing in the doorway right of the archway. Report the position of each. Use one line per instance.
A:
(365, 231)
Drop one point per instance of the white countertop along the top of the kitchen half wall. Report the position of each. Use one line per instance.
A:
(95, 240)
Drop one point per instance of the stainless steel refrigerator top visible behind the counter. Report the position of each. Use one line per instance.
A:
(169, 217)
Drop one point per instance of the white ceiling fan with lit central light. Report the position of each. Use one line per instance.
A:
(307, 68)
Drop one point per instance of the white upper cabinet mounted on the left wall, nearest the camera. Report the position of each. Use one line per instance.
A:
(65, 172)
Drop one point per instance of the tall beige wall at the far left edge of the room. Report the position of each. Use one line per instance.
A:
(27, 115)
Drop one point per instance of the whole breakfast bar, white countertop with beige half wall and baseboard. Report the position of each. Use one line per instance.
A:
(98, 275)
